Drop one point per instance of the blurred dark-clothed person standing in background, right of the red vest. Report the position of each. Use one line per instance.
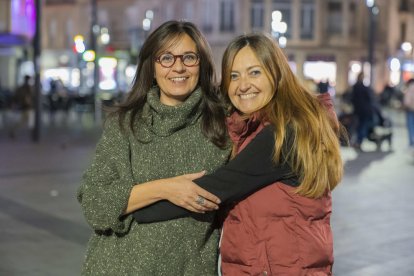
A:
(362, 99)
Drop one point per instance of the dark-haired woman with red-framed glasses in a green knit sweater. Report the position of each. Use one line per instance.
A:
(171, 124)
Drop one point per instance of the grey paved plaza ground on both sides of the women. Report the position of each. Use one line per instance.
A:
(43, 232)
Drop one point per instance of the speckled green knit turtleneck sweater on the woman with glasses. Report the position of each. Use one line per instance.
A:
(168, 142)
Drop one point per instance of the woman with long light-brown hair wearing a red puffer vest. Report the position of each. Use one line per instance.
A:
(286, 161)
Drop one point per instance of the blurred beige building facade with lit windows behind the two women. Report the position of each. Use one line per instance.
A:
(324, 39)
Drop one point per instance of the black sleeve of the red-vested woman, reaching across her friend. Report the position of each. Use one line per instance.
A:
(252, 169)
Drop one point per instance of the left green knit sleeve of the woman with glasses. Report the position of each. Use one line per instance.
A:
(106, 185)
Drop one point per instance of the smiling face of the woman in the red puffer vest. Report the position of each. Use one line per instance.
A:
(250, 88)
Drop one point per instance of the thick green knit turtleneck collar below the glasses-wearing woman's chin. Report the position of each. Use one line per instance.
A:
(163, 120)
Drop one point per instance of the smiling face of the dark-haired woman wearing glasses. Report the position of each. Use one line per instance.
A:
(179, 81)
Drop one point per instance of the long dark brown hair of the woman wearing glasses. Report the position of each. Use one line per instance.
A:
(213, 116)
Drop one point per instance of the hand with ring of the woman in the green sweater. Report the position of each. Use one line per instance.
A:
(183, 192)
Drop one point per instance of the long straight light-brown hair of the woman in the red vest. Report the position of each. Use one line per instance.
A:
(314, 151)
